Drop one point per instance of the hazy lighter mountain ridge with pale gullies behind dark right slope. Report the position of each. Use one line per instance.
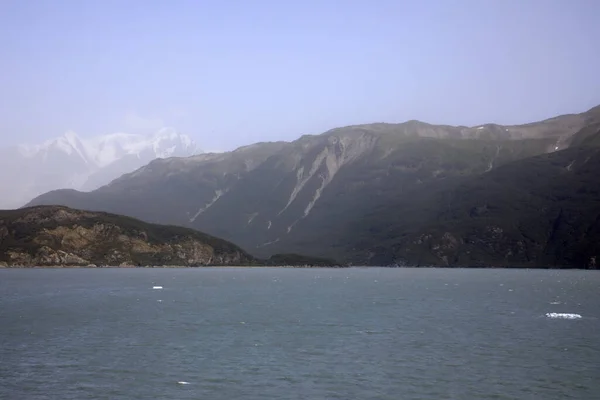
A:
(304, 196)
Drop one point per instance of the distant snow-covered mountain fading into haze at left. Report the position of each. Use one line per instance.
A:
(84, 164)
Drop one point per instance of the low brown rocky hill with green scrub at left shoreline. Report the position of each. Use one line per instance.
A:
(58, 236)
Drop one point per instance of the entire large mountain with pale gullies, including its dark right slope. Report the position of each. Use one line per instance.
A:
(381, 194)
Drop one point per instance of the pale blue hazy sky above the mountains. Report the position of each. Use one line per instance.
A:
(231, 73)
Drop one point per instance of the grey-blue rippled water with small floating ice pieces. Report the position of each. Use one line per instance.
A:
(298, 334)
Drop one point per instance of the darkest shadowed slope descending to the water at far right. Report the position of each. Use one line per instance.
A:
(543, 211)
